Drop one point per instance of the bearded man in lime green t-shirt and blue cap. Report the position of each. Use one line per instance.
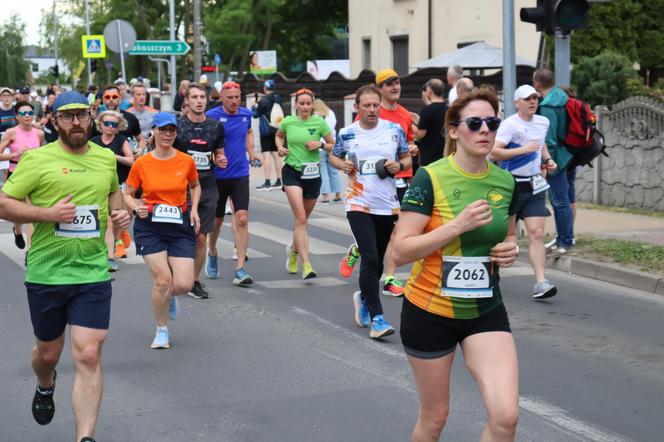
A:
(72, 186)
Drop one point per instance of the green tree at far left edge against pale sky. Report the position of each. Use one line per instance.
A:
(13, 67)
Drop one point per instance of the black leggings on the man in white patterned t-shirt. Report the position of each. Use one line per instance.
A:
(372, 235)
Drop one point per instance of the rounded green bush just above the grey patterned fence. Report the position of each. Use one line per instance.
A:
(603, 79)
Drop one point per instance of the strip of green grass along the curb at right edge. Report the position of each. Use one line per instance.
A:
(646, 257)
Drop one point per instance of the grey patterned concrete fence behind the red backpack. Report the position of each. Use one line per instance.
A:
(632, 175)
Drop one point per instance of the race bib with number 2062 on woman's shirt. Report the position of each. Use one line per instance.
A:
(467, 277)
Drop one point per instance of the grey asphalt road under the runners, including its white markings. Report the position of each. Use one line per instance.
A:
(283, 361)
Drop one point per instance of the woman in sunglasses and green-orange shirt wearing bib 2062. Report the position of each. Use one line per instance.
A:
(457, 225)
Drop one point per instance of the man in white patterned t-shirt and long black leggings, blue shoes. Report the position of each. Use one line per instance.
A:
(371, 151)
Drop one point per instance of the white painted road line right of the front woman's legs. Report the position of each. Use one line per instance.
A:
(560, 419)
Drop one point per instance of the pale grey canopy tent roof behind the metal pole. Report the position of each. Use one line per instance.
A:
(479, 55)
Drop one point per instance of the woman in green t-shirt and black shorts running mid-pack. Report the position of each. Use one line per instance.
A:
(301, 173)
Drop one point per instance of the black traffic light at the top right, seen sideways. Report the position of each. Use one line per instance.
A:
(550, 15)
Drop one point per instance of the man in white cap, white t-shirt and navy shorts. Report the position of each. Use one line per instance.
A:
(521, 150)
